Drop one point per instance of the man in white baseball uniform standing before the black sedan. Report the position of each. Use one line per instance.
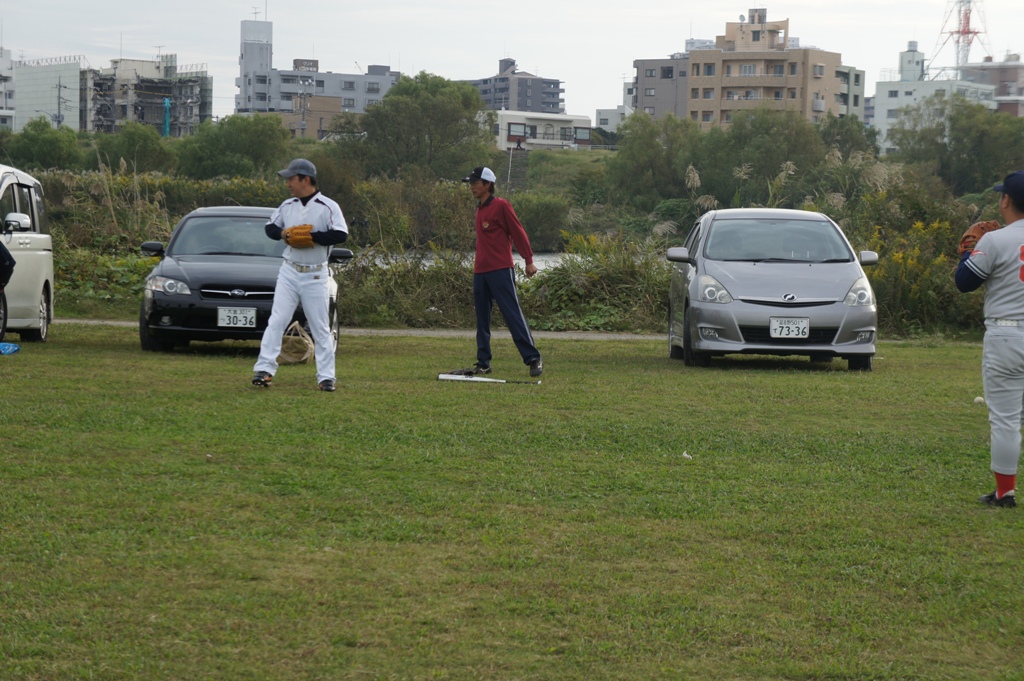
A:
(305, 274)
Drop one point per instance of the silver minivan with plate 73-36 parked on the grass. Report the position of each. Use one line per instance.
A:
(766, 281)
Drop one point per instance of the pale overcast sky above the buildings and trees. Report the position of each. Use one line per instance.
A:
(588, 46)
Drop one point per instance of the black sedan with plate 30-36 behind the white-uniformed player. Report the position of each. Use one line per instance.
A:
(216, 280)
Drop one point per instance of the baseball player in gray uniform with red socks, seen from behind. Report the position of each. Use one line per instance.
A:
(997, 260)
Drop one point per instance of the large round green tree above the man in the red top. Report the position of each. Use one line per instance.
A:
(425, 121)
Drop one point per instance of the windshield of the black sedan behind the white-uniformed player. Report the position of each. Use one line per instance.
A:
(225, 236)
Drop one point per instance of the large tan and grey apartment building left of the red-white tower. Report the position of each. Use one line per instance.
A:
(756, 64)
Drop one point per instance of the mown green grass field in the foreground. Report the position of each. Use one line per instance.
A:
(629, 519)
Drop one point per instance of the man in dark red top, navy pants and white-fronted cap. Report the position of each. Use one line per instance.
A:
(494, 279)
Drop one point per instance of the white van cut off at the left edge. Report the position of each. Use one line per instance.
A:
(27, 305)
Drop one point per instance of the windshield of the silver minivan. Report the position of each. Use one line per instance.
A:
(774, 240)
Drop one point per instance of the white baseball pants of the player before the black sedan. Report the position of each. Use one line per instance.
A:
(293, 288)
